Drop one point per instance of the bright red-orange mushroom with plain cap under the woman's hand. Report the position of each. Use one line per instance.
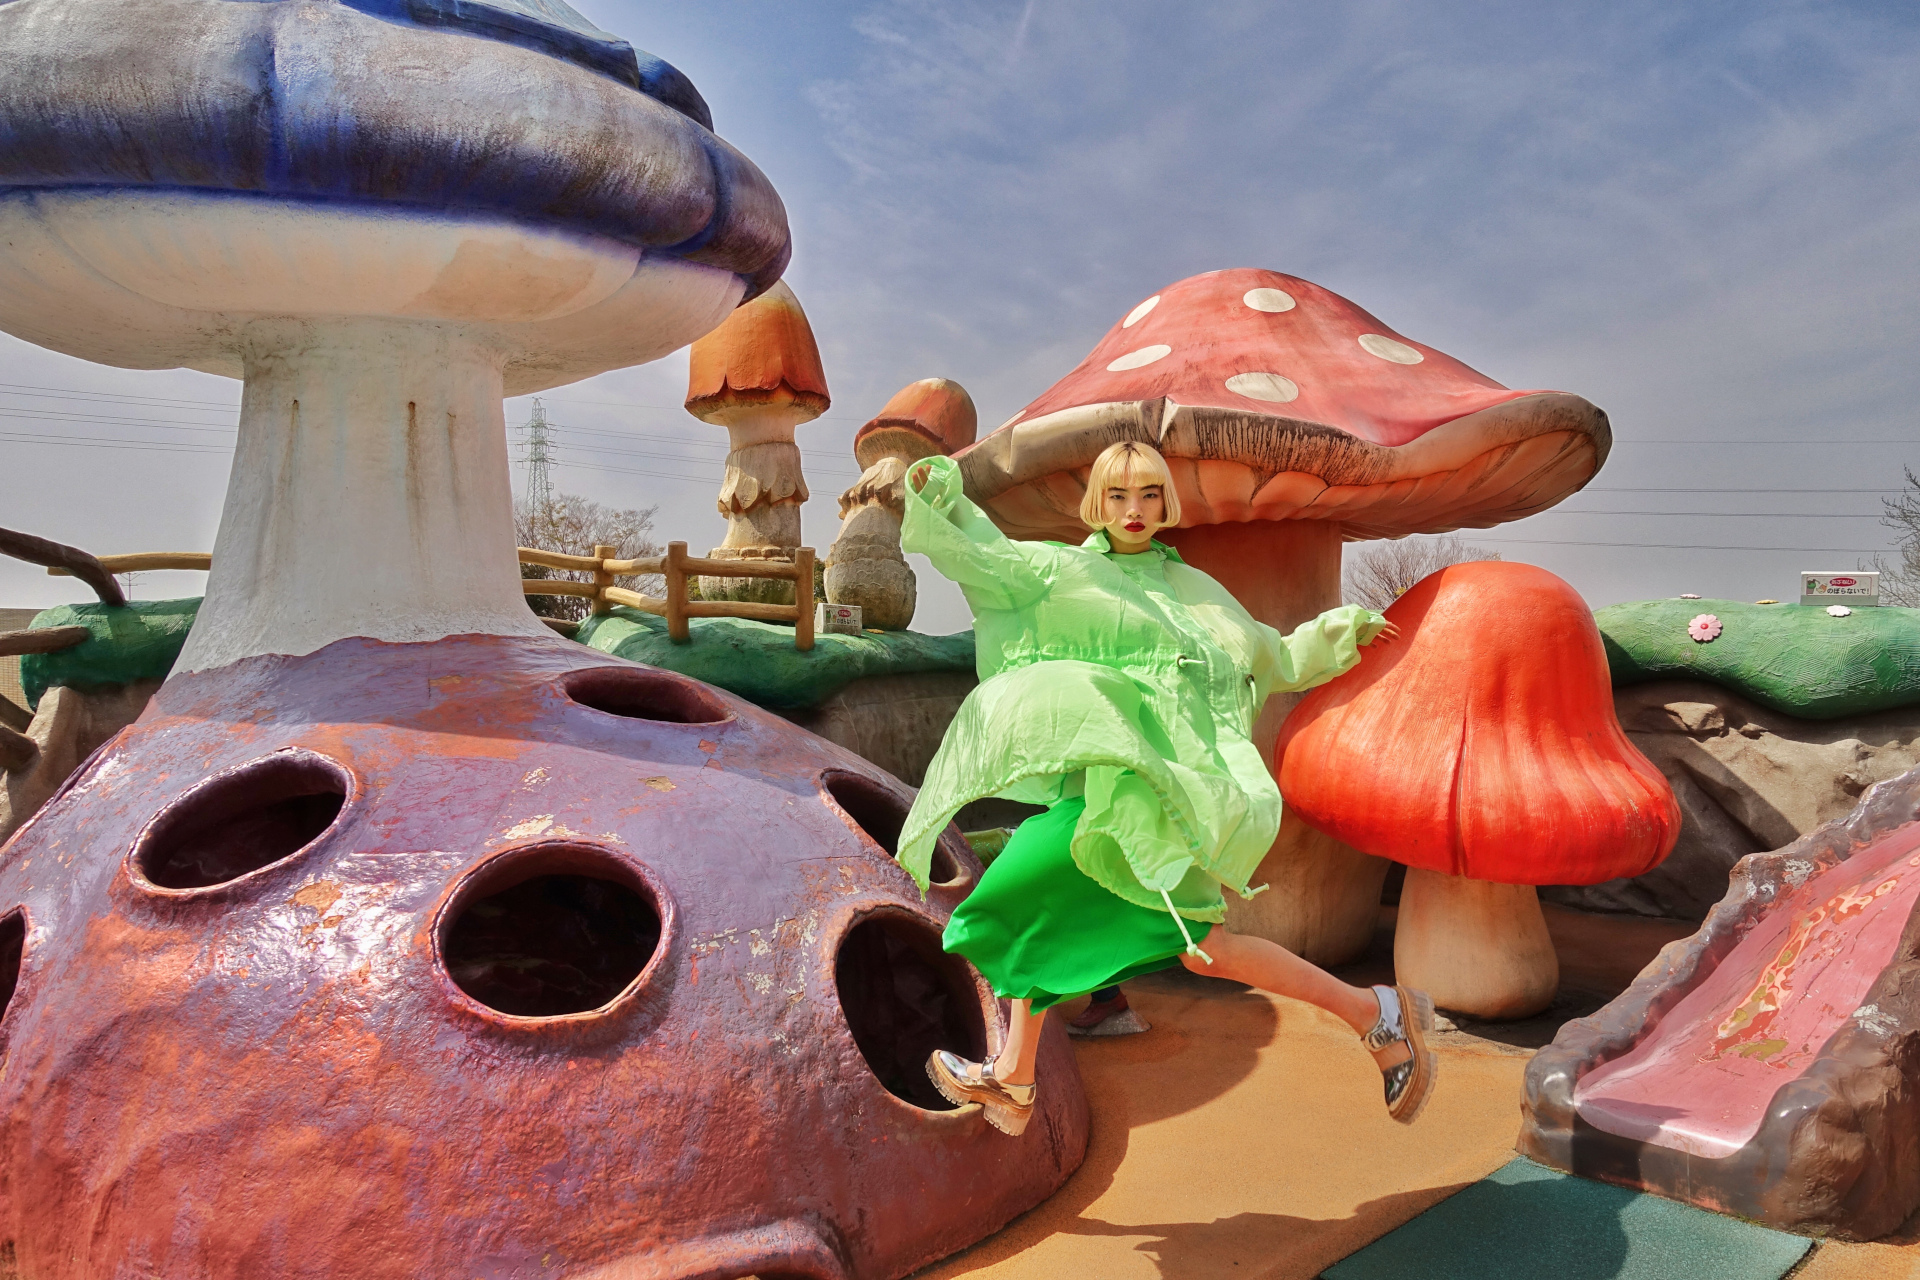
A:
(1483, 753)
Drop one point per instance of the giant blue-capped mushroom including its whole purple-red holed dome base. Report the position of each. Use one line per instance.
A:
(402, 937)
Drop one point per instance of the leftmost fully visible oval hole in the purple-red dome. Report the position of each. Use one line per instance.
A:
(243, 820)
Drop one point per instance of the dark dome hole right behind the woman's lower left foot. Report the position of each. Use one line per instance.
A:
(903, 999)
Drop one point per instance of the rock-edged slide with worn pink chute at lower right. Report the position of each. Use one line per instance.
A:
(1769, 1066)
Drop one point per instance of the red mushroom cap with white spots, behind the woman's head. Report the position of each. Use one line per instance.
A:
(1278, 400)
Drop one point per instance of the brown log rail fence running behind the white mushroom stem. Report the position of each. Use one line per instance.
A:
(677, 567)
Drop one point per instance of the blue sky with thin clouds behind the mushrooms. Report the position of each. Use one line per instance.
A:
(1702, 218)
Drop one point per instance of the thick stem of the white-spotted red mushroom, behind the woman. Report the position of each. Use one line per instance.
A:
(1326, 895)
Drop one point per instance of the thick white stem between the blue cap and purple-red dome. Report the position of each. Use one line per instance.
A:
(370, 494)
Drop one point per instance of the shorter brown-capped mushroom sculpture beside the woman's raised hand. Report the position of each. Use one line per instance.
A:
(924, 419)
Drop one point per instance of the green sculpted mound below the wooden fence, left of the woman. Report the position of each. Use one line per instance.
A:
(759, 663)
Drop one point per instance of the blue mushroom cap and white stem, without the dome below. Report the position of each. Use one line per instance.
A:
(383, 216)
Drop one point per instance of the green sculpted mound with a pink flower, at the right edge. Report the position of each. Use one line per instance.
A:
(1794, 659)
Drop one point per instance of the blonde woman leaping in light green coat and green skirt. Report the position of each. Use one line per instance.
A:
(1120, 688)
